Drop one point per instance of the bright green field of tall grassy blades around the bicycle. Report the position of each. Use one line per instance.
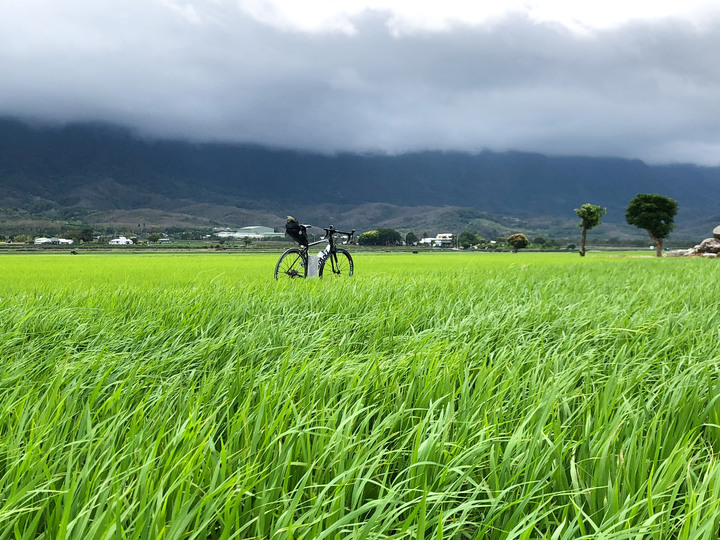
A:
(450, 396)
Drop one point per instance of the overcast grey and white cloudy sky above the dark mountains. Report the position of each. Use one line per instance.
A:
(624, 78)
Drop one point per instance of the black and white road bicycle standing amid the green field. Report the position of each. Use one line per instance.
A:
(294, 262)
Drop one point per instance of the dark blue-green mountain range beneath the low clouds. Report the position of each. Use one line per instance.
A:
(110, 177)
